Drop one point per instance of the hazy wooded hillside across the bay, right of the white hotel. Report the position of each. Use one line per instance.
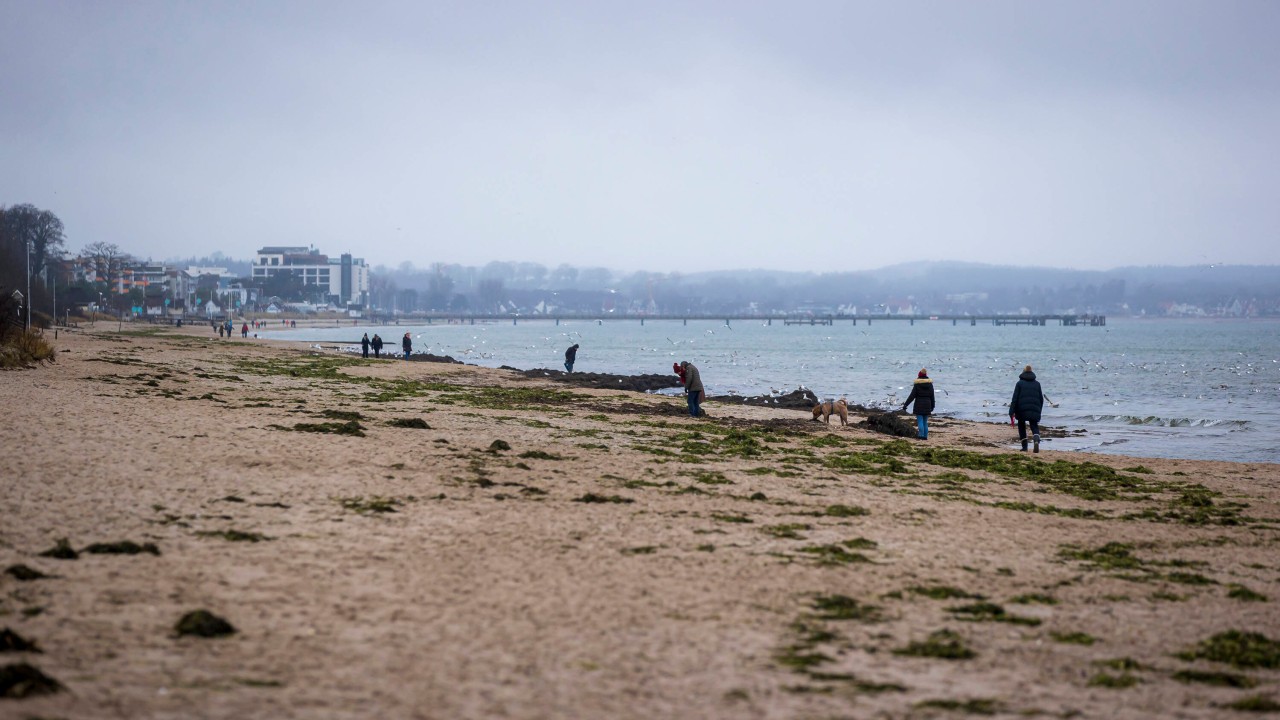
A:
(921, 288)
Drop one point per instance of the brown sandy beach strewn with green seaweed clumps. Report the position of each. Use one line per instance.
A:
(435, 541)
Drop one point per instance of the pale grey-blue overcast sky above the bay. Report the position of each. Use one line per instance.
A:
(653, 136)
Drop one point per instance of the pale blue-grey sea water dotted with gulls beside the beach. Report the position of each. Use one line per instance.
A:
(1156, 389)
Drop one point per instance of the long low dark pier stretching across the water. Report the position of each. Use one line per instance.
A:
(1031, 320)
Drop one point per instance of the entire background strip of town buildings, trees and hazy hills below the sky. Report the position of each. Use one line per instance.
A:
(309, 280)
